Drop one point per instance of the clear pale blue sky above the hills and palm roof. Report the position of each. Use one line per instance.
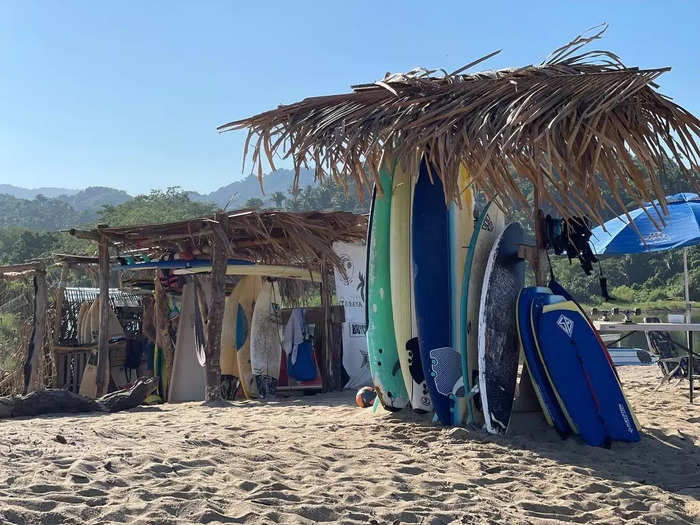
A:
(128, 94)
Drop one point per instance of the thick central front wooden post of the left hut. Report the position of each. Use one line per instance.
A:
(215, 318)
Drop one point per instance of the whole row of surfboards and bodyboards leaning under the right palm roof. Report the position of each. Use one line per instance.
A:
(443, 284)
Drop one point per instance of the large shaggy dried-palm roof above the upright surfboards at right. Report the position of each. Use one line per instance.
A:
(575, 121)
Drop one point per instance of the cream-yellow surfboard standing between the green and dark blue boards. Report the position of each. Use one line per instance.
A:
(400, 275)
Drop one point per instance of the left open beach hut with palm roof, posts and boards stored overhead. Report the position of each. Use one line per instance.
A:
(242, 242)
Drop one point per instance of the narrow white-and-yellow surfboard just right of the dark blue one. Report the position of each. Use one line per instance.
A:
(461, 228)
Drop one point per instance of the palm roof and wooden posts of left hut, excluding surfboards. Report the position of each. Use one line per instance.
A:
(303, 239)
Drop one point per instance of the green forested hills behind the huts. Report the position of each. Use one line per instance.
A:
(29, 229)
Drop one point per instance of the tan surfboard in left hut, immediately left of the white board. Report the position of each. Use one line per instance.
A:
(244, 294)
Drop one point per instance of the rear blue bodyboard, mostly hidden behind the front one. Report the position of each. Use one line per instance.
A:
(533, 363)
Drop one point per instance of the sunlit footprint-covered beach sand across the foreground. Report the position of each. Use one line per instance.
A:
(319, 458)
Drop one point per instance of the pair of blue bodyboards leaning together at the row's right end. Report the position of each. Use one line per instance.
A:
(571, 370)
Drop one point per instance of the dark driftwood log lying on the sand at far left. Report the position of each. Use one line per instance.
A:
(58, 401)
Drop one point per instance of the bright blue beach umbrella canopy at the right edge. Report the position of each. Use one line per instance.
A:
(680, 228)
